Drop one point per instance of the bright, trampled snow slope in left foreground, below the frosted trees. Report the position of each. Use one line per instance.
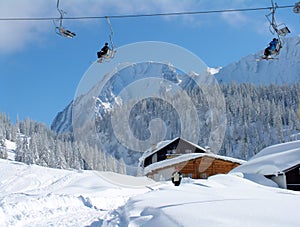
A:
(39, 196)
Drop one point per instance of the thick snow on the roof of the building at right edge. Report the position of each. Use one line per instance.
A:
(273, 159)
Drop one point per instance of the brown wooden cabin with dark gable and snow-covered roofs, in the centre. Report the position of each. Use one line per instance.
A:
(190, 159)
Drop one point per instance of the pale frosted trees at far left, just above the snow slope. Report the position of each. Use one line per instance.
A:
(36, 144)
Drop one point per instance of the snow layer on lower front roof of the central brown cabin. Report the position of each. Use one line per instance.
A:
(187, 157)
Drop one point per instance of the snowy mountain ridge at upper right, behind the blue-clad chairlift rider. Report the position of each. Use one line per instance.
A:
(285, 69)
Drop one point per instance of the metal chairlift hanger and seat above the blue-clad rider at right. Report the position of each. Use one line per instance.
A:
(281, 29)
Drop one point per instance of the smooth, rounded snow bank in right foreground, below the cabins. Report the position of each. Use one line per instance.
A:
(222, 200)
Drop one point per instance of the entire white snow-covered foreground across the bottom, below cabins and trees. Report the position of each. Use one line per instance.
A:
(38, 196)
